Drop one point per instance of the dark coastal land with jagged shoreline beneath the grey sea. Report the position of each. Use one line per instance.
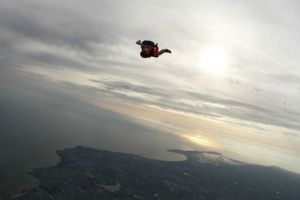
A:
(86, 173)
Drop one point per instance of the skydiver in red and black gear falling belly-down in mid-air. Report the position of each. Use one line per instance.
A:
(149, 49)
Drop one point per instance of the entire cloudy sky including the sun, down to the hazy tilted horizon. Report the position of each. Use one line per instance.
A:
(232, 81)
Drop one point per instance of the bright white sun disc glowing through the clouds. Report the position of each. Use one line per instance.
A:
(214, 60)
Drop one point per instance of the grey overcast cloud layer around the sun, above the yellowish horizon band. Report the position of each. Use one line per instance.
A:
(96, 41)
